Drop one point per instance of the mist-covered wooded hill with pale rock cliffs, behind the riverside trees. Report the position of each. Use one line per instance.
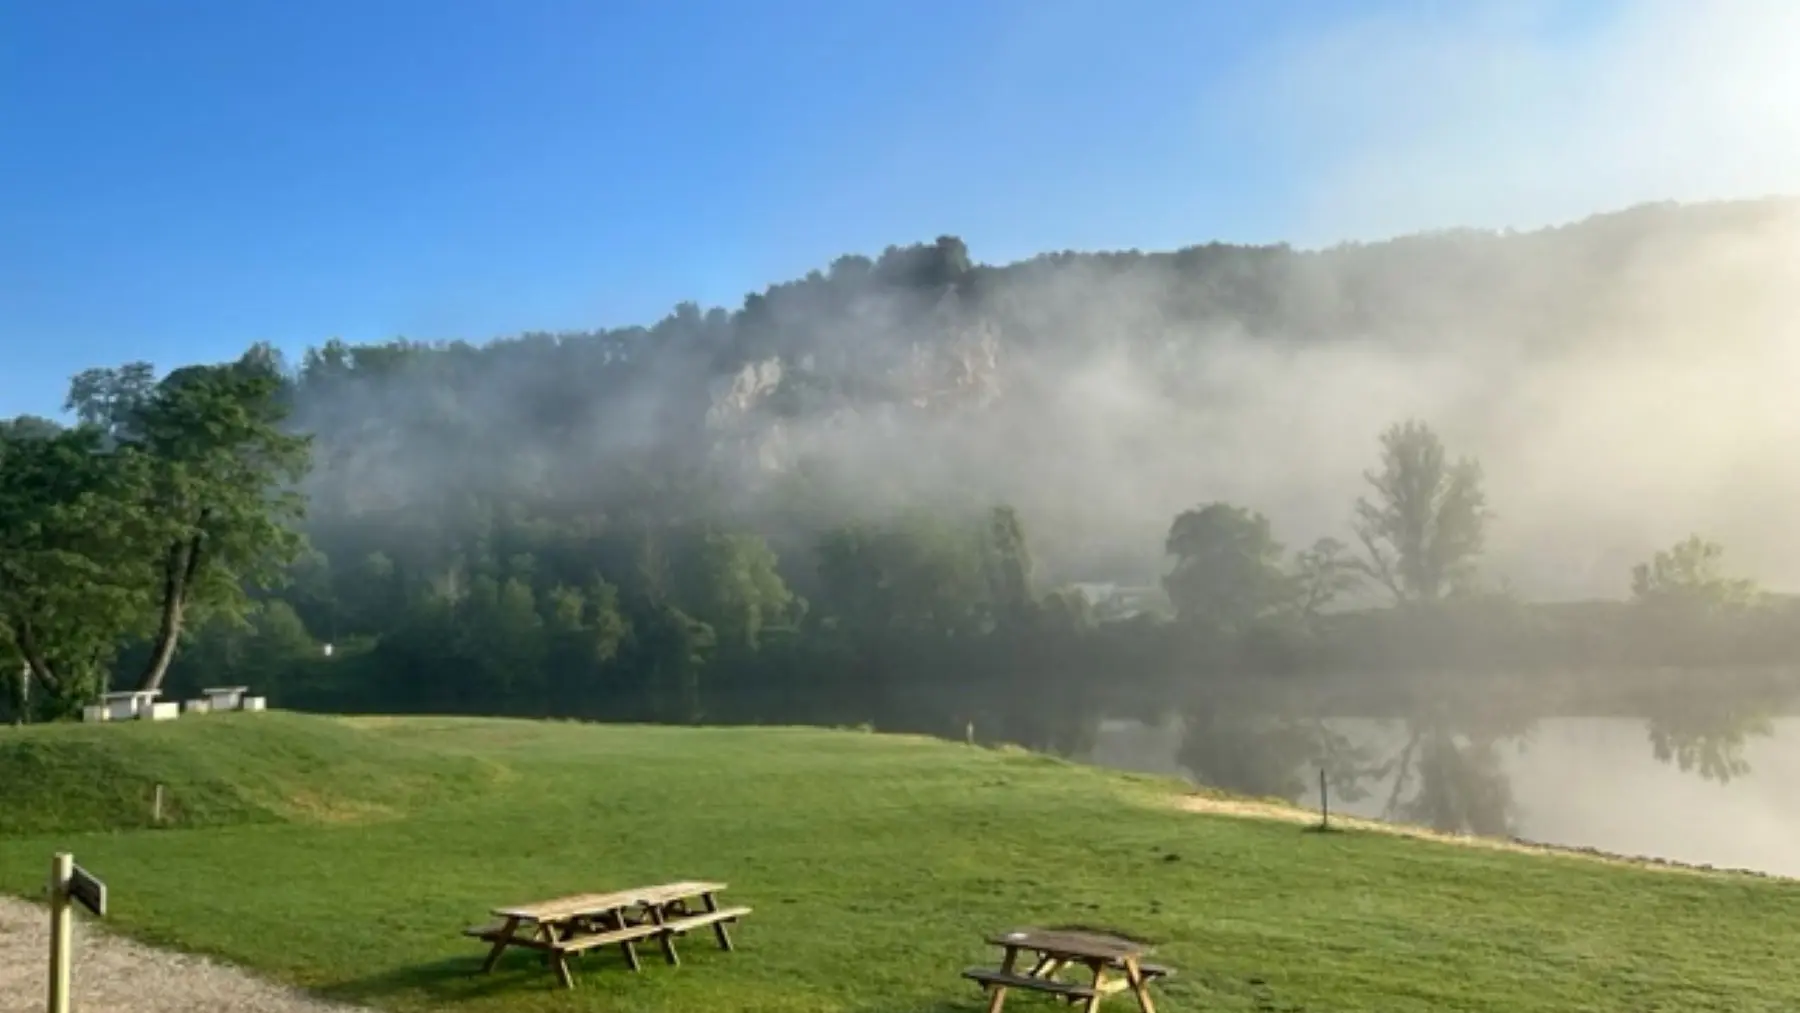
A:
(1104, 393)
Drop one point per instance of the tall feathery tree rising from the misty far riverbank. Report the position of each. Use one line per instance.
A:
(1428, 523)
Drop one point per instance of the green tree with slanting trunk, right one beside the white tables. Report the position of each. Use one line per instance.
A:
(220, 503)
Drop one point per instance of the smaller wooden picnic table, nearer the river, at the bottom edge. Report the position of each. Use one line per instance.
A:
(1057, 949)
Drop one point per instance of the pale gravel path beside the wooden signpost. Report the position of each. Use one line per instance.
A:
(118, 976)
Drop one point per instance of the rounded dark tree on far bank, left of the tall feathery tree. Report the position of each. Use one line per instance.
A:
(1228, 569)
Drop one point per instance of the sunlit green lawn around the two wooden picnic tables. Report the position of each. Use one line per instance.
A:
(876, 865)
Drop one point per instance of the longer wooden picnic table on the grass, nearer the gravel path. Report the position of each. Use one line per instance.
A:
(584, 922)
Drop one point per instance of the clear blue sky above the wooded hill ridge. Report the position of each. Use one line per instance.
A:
(181, 179)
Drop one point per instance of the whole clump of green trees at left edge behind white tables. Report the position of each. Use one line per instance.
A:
(170, 503)
